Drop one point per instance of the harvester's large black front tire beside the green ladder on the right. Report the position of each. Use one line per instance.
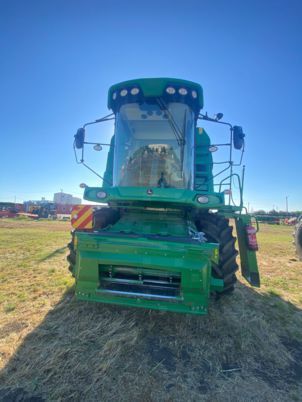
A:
(217, 230)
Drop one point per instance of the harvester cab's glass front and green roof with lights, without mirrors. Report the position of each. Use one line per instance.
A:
(154, 133)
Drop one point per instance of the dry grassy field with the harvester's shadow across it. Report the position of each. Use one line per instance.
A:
(249, 347)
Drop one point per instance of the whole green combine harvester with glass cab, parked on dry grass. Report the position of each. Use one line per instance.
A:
(163, 241)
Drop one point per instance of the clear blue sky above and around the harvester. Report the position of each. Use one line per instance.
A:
(58, 59)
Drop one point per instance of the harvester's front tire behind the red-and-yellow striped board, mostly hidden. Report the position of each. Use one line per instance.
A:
(101, 218)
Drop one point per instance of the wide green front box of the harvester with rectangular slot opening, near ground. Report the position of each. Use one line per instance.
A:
(136, 271)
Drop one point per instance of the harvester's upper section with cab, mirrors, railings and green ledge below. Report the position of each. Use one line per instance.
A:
(157, 149)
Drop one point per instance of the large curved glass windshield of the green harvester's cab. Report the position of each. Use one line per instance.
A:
(154, 145)
